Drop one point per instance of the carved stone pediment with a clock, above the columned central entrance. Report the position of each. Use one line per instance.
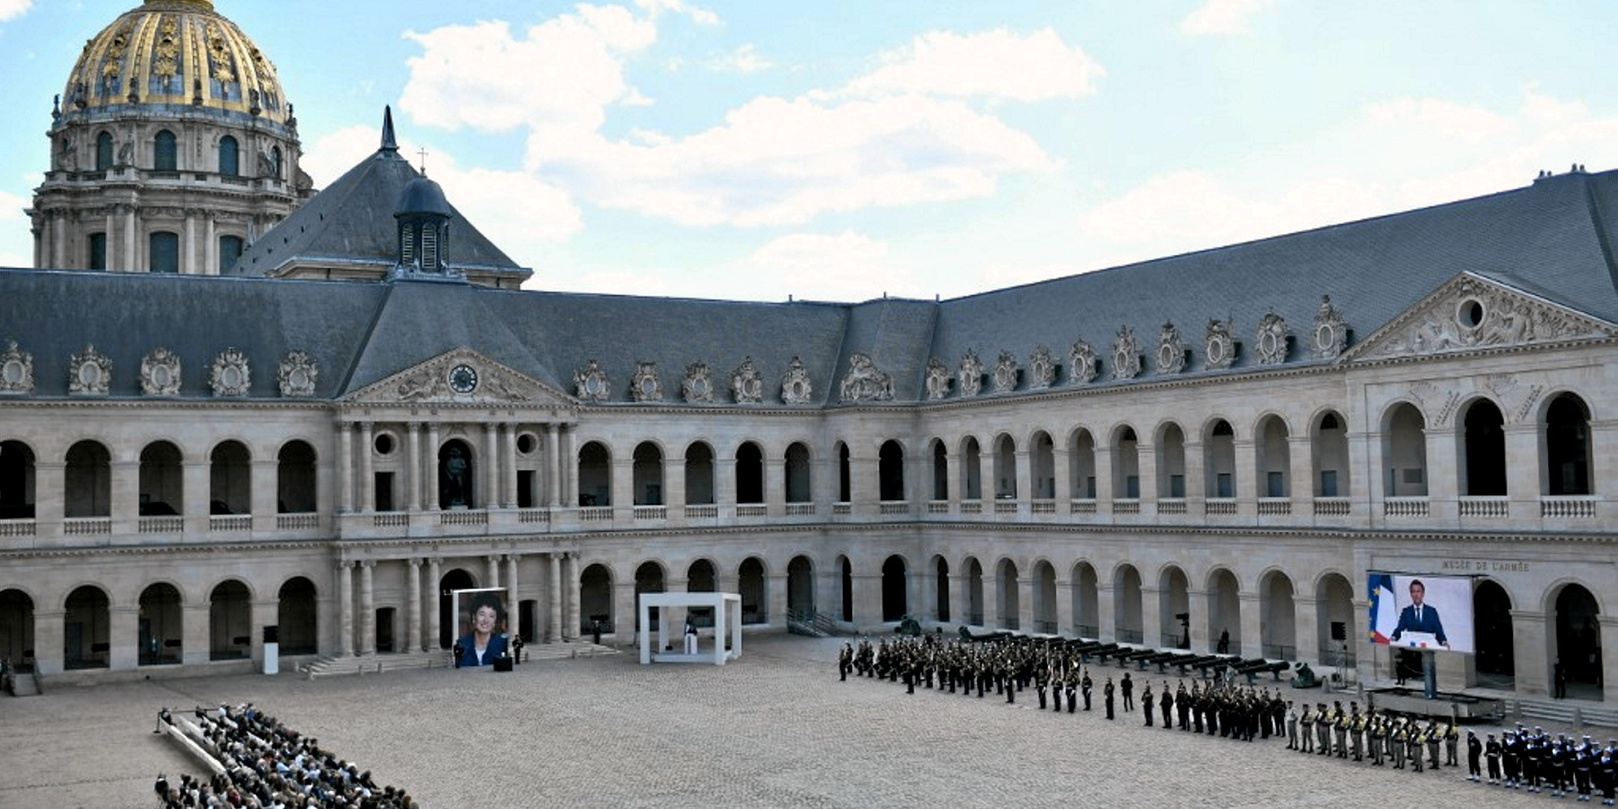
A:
(460, 378)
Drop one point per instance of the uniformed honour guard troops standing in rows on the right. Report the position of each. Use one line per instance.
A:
(1006, 666)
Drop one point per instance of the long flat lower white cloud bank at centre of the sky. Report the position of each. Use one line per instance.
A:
(782, 163)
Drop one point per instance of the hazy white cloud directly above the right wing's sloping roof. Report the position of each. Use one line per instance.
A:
(1425, 153)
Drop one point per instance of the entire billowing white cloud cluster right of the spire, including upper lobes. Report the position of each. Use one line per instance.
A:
(900, 140)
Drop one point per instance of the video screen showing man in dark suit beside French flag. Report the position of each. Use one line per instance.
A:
(1421, 612)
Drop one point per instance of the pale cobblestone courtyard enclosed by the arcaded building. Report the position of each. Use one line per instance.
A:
(774, 729)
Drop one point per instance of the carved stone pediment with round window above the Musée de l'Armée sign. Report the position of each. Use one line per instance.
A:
(1472, 313)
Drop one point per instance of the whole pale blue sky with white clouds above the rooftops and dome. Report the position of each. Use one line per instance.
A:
(853, 150)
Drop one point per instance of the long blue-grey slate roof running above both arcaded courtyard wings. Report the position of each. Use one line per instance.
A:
(1551, 240)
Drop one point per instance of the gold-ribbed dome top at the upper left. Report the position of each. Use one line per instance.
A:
(176, 53)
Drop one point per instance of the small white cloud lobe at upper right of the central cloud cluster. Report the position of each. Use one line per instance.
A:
(991, 64)
